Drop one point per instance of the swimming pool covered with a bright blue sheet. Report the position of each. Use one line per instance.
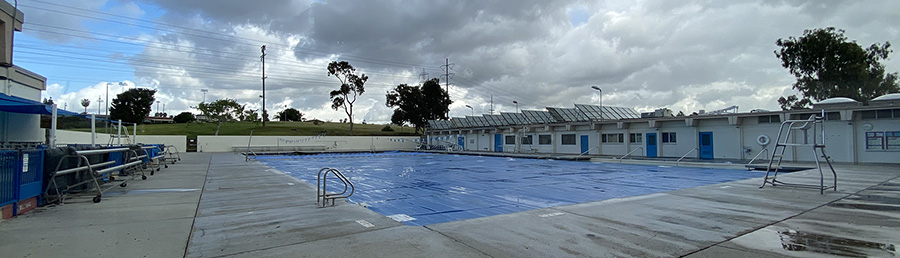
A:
(423, 188)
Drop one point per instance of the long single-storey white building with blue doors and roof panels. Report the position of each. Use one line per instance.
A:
(856, 133)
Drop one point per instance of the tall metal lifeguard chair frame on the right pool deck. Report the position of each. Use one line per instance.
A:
(788, 127)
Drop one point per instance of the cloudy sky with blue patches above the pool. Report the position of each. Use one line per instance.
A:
(684, 55)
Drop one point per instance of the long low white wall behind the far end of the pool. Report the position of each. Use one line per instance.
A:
(207, 143)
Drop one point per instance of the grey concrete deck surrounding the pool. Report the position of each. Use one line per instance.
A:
(218, 205)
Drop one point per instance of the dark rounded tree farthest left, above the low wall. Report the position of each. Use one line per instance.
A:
(132, 105)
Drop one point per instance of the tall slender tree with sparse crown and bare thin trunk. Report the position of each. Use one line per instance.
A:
(352, 85)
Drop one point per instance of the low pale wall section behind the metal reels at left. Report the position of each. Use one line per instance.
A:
(74, 137)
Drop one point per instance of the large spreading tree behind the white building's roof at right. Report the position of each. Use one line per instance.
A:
(827, 65)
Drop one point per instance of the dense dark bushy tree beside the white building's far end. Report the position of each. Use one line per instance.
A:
(416, 105)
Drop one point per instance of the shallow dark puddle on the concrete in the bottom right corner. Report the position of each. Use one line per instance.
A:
(792, 240)
